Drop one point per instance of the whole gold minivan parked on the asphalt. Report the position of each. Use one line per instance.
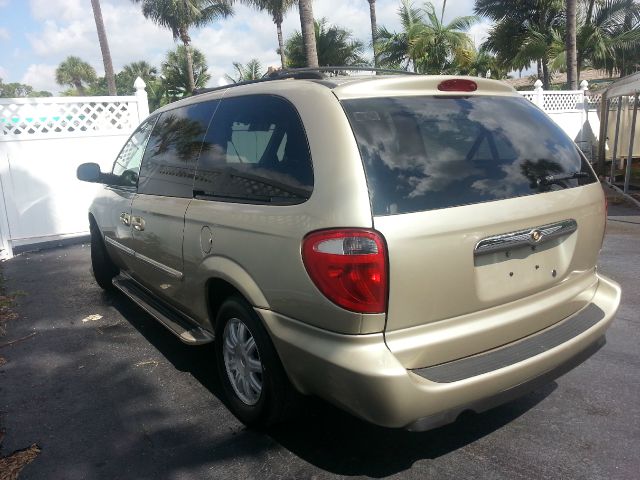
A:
(406, 247)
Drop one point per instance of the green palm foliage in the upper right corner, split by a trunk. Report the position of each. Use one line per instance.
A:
(529, 32)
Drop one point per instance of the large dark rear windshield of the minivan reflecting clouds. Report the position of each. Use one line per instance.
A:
(427, 153)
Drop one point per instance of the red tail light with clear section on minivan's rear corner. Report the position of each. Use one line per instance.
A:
(349, 266)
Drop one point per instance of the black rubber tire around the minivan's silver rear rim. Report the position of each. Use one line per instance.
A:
(277, 397)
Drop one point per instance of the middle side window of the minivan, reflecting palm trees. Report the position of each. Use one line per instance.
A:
(170, 159)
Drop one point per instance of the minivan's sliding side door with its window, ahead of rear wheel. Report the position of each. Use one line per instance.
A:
(165, 190)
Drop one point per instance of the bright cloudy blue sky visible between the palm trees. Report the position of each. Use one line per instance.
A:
(36, 35)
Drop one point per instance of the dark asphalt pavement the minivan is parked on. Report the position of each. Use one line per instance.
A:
(108, 393)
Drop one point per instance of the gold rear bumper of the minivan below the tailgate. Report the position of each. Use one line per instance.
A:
(360, 374)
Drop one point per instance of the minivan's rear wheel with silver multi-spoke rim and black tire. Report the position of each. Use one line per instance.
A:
(257, 389)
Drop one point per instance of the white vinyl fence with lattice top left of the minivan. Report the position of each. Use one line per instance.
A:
(42, 142)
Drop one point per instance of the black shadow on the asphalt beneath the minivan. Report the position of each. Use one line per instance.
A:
(325, 436)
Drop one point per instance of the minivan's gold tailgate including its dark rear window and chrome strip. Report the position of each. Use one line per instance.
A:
(482, 200)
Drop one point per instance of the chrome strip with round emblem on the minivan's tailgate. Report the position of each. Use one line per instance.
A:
(523, 238)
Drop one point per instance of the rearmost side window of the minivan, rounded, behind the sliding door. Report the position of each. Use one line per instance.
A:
(255, 151)
